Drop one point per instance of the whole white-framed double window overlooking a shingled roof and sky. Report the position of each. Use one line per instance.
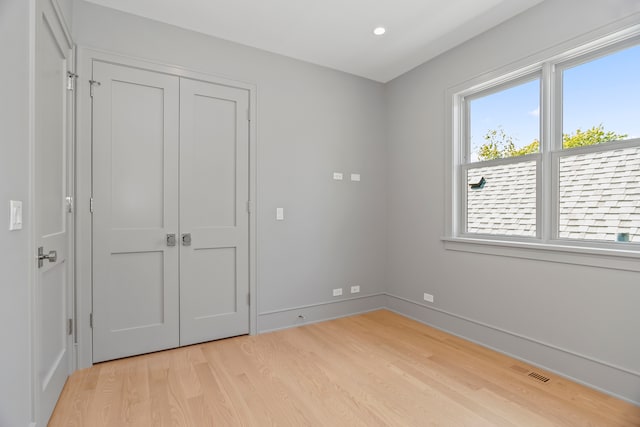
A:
(551, 153)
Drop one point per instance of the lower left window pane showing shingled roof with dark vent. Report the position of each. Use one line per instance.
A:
(505, 203)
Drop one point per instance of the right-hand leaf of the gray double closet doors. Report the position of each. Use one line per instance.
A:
(214, 189)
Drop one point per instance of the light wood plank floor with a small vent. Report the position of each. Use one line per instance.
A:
(375, 369)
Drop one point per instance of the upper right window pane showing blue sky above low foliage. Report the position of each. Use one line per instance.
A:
(600, 100)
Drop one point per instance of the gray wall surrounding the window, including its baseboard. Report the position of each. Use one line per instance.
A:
(586, 311)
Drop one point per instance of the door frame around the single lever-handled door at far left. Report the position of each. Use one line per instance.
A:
(54, 14)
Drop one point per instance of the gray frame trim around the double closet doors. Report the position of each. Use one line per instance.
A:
(84, 302)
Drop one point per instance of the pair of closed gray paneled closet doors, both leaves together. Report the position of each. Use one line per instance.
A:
(170, 221)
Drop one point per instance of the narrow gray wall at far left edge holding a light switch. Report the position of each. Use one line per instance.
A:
(14, 185)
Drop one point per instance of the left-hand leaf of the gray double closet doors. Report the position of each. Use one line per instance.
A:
(135, 191)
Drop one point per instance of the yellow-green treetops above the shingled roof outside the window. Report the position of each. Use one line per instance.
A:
(499, 144)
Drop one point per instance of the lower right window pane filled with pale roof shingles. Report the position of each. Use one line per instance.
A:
(600, 195)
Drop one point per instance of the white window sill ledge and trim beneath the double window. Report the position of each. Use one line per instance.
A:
(617, 259)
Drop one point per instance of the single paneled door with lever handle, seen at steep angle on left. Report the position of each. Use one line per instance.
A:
(51, 217)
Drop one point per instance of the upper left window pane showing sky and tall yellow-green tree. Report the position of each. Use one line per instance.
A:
(505, 123)
